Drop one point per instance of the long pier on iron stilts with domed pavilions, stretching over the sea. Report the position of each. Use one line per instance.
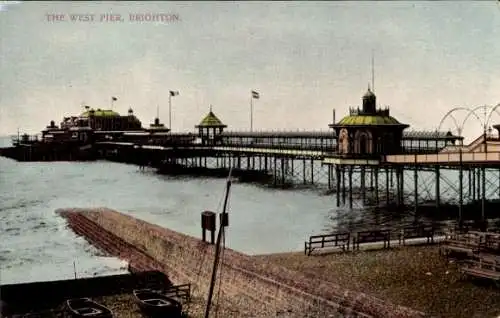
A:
(367, 159)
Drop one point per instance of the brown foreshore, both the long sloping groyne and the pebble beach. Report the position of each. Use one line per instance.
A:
(403, 281)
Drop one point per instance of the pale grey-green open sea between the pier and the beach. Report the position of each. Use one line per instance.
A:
(37, 245)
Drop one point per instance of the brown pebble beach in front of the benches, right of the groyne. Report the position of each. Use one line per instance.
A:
(412, 276)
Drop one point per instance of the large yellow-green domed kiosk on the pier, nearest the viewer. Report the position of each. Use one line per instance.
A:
(364, 137)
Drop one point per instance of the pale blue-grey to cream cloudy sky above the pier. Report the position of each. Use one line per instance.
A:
(304, 58)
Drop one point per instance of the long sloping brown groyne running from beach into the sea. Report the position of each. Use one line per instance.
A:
(251, 286)
